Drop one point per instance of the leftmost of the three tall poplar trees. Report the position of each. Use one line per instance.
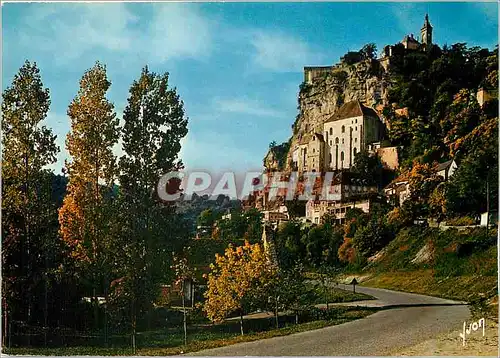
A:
(27, 148)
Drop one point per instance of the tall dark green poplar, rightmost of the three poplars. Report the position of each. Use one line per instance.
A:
(154, 124)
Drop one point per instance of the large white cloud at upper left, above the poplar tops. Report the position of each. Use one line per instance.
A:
(71, 31)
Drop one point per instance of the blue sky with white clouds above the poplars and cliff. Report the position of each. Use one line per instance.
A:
(237, 66)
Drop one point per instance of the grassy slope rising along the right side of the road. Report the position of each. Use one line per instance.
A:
(461, 265)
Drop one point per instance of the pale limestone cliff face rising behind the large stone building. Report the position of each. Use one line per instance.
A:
(366, 81)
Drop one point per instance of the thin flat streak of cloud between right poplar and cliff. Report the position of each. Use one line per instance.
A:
(247, 107)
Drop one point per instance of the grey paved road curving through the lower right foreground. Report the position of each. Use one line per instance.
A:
(413, 319)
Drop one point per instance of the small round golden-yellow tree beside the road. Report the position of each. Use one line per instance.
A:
(238, 282)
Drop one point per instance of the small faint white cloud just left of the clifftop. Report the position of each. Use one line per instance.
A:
(281, 52)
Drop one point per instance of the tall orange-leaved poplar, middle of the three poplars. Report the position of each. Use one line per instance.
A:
(87, 207)
